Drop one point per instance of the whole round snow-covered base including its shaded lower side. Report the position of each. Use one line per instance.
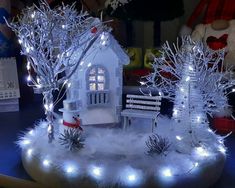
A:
(113, 156)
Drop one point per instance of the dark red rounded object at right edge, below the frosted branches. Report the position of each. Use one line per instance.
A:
(224, 124)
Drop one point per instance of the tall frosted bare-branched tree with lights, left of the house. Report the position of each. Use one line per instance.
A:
(49, 38)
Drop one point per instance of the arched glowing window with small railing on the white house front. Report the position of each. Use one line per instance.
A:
(97, 85)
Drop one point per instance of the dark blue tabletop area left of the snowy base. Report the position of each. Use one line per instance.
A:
(12, 124)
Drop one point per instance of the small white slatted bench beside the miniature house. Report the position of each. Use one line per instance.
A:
(141, 106)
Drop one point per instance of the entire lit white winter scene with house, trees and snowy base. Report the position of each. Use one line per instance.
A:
(77, 56)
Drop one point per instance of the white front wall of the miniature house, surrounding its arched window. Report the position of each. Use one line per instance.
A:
(99, 115)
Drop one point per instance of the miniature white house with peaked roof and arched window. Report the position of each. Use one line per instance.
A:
(97, 81)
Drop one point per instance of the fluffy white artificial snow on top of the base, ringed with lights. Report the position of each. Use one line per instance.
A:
(112, 155)
